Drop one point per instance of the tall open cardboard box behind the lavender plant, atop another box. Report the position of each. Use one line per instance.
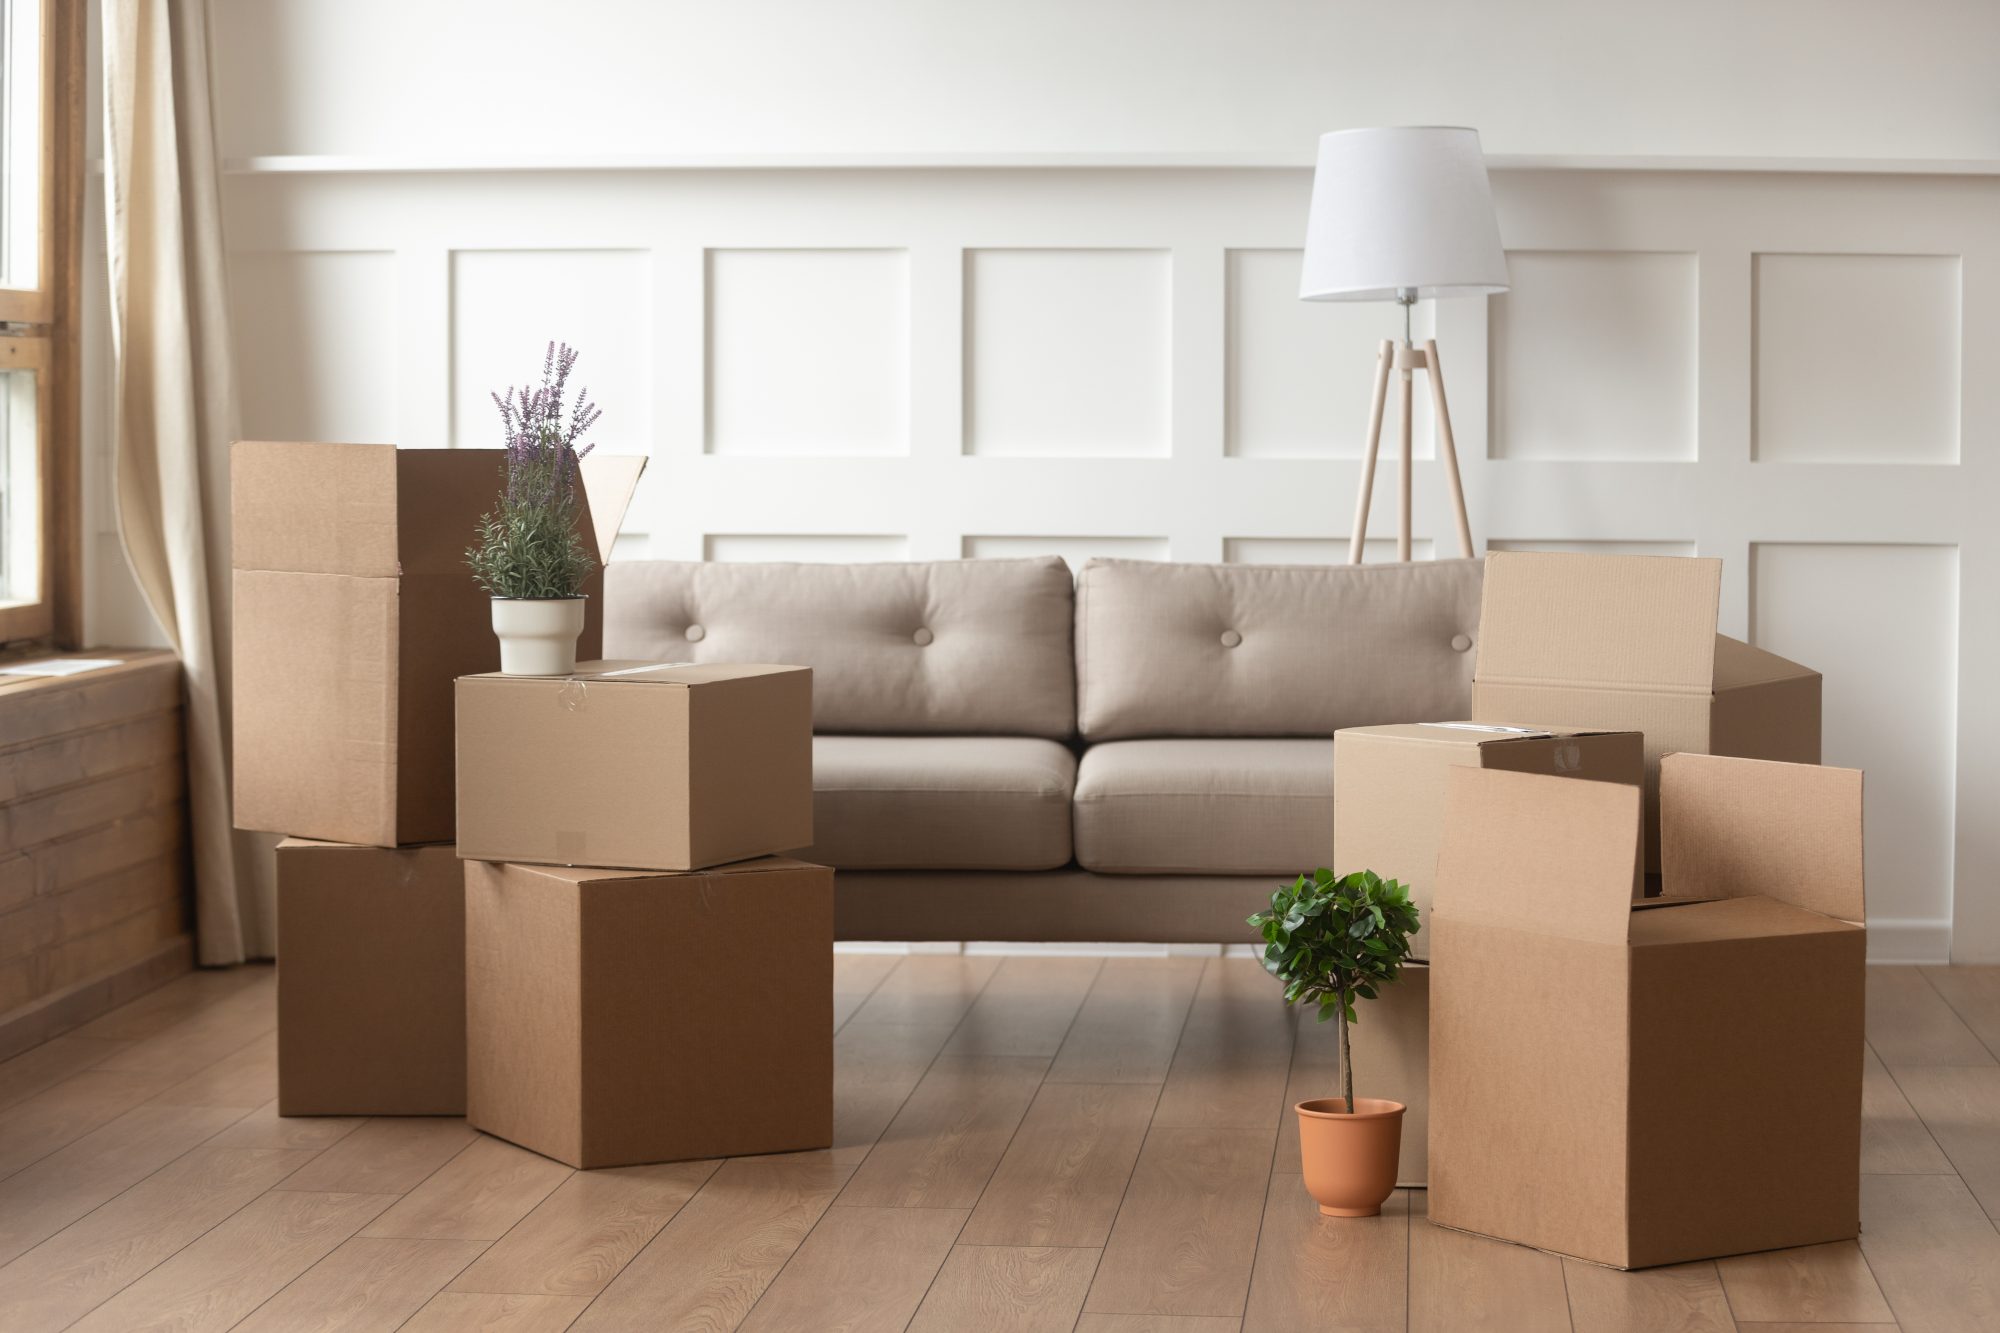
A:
(353, 615)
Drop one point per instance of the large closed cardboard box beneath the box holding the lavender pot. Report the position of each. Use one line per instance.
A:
(625, 1018)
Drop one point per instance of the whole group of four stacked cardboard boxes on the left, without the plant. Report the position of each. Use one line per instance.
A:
(677, 1002)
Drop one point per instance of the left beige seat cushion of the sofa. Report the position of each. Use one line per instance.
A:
(941, 804)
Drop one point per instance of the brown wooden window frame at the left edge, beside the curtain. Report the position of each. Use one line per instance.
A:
(41, 333)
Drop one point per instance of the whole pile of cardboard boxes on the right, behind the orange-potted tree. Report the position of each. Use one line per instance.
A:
(1617, 1074)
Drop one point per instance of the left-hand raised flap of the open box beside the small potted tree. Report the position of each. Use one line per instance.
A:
(1539, 854)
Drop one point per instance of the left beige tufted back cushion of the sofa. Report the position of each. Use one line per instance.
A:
(953, 647)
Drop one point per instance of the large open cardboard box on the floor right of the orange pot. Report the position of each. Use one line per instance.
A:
(1641, 1084)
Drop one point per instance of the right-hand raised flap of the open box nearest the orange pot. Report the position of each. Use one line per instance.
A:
(1751, 828)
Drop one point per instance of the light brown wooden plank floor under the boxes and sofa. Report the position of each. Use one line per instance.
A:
(1023, 1144)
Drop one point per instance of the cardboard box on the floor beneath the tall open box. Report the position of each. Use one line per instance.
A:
(371, 980)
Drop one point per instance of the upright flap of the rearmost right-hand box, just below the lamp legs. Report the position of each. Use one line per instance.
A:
(1637, 623)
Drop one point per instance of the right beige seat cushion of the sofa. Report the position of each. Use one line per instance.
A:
(1205, 808)
